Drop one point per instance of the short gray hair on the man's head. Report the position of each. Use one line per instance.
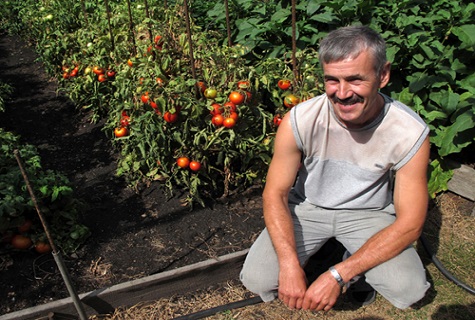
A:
(349, 42)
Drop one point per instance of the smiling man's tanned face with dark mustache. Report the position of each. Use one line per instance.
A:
(352, 85)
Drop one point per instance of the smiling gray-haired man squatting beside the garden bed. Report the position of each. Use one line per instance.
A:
(351, 165)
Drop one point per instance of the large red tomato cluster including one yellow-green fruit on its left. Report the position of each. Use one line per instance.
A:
(226, 115)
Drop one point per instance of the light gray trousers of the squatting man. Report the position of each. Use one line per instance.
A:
(401, 280)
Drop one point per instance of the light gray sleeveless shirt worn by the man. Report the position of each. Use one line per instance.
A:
(352, 169)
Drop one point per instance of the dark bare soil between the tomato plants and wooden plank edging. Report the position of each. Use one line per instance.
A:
(134, 234)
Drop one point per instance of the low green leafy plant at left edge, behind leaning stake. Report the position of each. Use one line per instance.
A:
(52, 190)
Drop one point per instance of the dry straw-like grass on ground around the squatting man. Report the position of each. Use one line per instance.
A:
(449, 229)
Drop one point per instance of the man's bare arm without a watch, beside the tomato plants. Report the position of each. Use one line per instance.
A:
(280, 178)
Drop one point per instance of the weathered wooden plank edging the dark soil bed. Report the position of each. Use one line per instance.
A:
(166, 284)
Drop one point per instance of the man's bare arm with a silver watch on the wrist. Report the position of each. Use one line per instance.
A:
(410, 200)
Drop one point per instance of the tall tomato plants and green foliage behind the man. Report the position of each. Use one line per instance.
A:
(431, 47)
